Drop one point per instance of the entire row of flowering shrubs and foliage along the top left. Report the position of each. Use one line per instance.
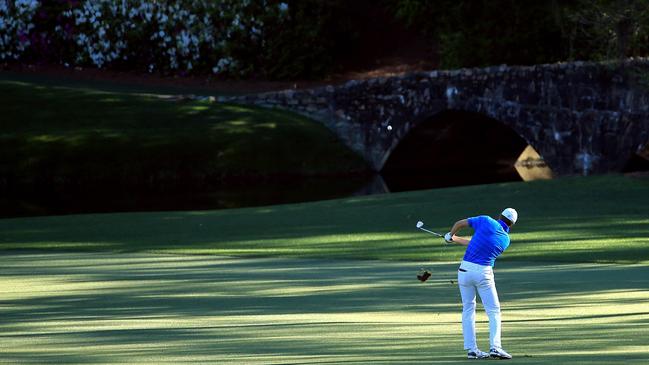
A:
(268, 38)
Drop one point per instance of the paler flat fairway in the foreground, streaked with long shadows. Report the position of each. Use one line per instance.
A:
(143, 308)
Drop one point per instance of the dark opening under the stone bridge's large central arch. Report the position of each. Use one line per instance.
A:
(455, 147)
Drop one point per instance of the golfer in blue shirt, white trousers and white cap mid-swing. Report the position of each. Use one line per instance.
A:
(490, 239)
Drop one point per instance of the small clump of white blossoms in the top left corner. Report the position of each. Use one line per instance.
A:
(15, 26)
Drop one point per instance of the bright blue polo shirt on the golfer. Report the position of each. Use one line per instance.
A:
(490, 239)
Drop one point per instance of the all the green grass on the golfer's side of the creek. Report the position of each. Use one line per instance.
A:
(330, 282)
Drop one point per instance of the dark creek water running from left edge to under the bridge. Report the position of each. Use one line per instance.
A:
(107, 199)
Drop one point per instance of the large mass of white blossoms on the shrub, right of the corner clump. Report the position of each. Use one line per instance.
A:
(172, 35)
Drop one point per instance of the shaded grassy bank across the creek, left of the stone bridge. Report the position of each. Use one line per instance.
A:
(70, 137)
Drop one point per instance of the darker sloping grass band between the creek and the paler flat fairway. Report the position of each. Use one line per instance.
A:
(594, 219)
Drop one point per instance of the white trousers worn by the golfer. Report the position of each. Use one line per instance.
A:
(481, 278)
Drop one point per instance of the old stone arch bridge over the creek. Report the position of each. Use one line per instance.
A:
(581, 117)
